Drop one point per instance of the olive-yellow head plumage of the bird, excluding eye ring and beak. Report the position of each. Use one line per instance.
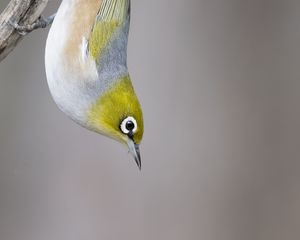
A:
(117, 103)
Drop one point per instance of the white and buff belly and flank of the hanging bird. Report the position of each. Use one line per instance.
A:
(71, 74)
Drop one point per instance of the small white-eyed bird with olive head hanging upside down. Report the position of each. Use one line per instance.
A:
(87, 73)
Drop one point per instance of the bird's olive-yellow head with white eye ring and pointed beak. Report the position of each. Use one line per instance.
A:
(117, 114)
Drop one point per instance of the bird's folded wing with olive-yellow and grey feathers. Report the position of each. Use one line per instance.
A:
(110, 32)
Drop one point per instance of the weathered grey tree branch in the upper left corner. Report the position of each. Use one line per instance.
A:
(21, 12)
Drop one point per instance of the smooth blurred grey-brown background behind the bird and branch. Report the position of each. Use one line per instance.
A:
(219, 83)
